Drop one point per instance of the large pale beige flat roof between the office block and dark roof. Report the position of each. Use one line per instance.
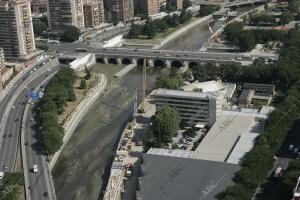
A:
(222, 137)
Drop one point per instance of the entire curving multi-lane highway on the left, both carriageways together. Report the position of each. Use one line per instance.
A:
(13, 106)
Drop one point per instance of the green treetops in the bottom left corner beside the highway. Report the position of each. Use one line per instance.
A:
(10, 185)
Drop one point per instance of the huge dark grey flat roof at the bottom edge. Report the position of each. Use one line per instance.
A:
(173, 178)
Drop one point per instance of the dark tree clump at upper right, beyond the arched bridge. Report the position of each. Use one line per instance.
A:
(247, 39)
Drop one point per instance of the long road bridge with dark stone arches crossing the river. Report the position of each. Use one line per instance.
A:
(168, 58)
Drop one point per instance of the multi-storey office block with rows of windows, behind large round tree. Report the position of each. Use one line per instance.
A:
(194, 108)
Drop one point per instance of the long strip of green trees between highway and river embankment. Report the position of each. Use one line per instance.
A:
(58, 92)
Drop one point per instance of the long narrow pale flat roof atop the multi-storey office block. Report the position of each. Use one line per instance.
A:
(180, 93)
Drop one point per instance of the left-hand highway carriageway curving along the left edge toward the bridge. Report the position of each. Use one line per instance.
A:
(11, 127)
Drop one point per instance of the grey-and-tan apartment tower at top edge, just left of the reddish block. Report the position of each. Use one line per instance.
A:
(122, 9)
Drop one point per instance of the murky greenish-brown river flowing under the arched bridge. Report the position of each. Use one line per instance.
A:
(84, 163)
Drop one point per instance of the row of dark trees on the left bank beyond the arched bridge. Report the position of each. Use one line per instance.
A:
(152, 27)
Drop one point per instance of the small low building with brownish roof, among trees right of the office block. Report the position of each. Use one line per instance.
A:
(260, 89)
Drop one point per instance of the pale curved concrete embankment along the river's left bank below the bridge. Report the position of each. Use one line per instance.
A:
(78, 114)
